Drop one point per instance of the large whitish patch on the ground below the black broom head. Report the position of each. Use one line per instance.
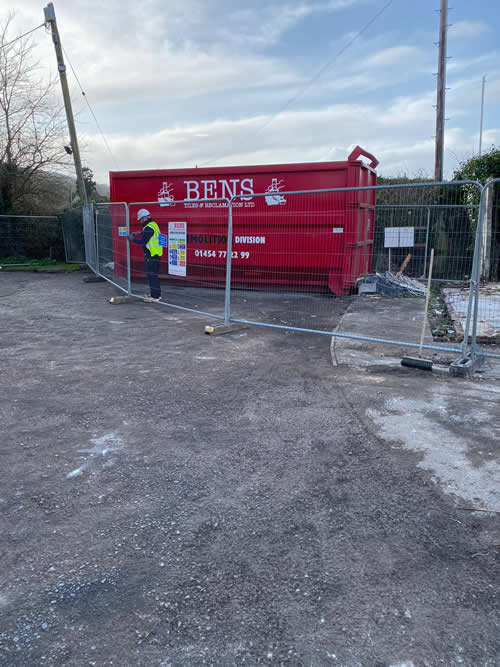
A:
(416, 424)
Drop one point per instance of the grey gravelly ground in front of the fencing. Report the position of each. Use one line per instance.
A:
(169, 498)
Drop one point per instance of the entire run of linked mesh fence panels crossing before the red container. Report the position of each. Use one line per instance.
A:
(296, 260)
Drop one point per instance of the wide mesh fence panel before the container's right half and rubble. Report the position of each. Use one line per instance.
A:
(298, 259)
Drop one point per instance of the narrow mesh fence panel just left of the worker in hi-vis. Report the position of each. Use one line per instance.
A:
(111, 225)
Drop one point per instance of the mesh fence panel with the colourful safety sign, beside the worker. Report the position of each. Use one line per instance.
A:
(193, 266)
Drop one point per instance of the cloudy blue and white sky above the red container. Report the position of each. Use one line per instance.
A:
(218, 82)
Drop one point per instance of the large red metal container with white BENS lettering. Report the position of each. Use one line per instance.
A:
(301, 242)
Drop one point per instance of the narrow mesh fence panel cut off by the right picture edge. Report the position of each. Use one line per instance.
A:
(486, 314)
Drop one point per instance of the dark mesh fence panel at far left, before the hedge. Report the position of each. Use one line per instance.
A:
(26, 240)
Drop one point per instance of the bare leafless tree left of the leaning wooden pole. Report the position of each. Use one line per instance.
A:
(32, 123)
